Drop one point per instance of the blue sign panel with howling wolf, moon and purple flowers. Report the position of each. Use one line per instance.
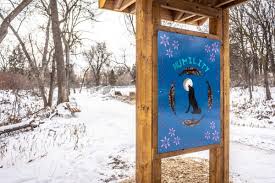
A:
(188, 91)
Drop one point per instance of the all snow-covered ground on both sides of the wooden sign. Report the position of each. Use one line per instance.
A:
(98, 144)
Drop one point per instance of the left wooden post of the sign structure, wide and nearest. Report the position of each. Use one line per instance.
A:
(148, 166)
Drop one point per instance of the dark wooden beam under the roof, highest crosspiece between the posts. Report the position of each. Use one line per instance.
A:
(192, 8)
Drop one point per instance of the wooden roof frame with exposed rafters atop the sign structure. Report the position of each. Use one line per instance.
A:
(180, 11)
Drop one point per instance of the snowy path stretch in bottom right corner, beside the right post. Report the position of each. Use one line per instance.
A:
(251, 164)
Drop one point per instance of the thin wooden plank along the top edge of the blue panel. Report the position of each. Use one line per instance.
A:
(188, 32)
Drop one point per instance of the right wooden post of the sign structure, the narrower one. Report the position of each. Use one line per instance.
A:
(219, 157)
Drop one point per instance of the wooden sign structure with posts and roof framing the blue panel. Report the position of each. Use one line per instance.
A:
(149, 14)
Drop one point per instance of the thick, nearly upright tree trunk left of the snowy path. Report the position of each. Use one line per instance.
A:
(59, 56)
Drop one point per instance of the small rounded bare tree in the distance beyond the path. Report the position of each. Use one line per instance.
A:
(98, 57)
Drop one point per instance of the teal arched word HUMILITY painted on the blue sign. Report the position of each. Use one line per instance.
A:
(191, 61)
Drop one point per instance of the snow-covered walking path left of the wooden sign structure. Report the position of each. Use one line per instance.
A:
(106, 152)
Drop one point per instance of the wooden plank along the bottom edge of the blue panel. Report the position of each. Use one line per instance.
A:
(186, 151)
